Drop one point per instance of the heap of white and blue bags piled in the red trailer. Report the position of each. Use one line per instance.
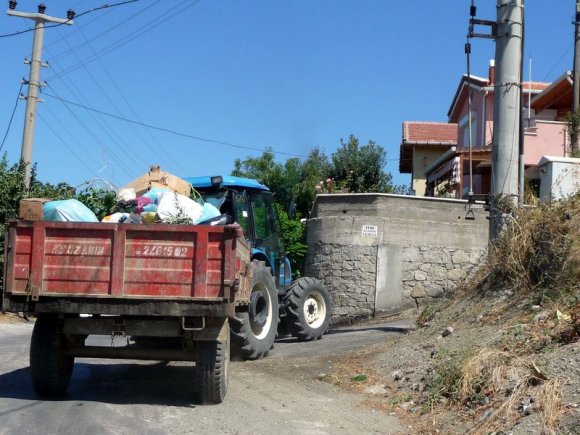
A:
(157, 205)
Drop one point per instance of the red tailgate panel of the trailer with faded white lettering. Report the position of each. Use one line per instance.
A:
(120, 260)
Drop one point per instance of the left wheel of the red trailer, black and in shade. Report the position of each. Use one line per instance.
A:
(51, 369)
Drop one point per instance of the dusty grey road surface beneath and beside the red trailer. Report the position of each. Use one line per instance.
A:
(281, 394)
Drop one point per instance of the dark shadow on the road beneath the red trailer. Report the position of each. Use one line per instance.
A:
(155, 384)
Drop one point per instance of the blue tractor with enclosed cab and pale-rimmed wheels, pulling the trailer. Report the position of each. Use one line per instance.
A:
(301, 307)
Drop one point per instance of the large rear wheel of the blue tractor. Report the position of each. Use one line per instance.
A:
(253, 332)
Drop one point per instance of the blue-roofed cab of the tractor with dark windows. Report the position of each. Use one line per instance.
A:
(250, 204)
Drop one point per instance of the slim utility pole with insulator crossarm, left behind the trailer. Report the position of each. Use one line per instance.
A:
(33, 82)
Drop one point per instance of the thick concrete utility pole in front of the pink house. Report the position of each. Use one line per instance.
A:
(506, 114)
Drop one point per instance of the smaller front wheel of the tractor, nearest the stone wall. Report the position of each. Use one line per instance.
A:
(307, 304)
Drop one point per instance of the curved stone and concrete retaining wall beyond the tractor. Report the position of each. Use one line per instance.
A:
(381, 254)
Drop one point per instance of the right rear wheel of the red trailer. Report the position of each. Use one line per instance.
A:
(211, 371)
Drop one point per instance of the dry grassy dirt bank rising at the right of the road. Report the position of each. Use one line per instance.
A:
(502, 355)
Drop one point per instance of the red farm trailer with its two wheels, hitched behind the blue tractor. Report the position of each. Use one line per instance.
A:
(170, 288)
